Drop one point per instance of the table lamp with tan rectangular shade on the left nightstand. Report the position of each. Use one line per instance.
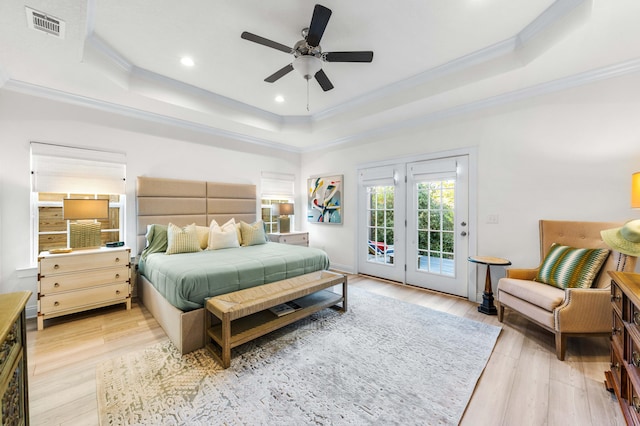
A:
(85, 230)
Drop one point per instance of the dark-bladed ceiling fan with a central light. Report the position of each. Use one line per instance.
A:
(308, 55)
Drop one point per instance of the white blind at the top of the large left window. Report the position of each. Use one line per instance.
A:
(62, 169)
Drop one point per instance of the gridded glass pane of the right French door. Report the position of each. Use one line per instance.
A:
(435, 226)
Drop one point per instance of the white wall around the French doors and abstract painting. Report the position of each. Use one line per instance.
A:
(566, 156)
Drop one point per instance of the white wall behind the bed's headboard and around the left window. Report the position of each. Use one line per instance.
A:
(152, 150)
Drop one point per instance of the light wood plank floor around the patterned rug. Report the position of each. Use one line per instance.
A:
(523, 383)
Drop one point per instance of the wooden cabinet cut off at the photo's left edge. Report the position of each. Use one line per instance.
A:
(13, 359)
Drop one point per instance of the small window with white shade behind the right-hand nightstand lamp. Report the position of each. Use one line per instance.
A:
(275, 188)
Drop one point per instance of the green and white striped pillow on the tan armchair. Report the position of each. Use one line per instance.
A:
(570, 267)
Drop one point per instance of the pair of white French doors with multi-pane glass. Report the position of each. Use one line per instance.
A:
(413, 223)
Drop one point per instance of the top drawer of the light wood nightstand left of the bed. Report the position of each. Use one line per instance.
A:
(73, 263)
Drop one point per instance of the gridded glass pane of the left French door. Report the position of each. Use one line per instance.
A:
(381, 221)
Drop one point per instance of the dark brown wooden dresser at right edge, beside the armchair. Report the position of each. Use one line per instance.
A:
(624, 376)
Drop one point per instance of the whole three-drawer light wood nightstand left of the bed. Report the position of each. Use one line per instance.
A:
(82, 280)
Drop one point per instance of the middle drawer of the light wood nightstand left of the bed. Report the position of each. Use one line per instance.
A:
(73, 281)
